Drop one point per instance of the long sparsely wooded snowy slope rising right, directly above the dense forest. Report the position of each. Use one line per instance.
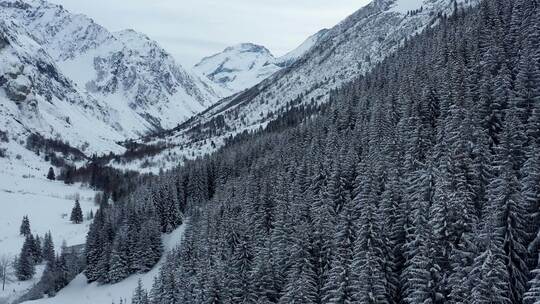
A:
(348, 50)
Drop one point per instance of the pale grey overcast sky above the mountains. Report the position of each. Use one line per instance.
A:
(192, 29)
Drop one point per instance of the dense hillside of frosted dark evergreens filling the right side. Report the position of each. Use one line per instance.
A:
(418, 183)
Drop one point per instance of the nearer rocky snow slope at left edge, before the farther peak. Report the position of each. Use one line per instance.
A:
(35, 97)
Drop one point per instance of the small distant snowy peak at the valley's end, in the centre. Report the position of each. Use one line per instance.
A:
(244, 65)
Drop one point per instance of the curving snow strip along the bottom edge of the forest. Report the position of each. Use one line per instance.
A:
(80, 292)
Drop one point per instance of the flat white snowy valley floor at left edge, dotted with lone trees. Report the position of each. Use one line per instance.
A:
(24, 190)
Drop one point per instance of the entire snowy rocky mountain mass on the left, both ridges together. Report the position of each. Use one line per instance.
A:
(64, 75)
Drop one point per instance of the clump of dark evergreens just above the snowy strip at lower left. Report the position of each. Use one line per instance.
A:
(125, 236)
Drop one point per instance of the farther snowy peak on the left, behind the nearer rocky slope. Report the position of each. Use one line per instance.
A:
(139, 85)
